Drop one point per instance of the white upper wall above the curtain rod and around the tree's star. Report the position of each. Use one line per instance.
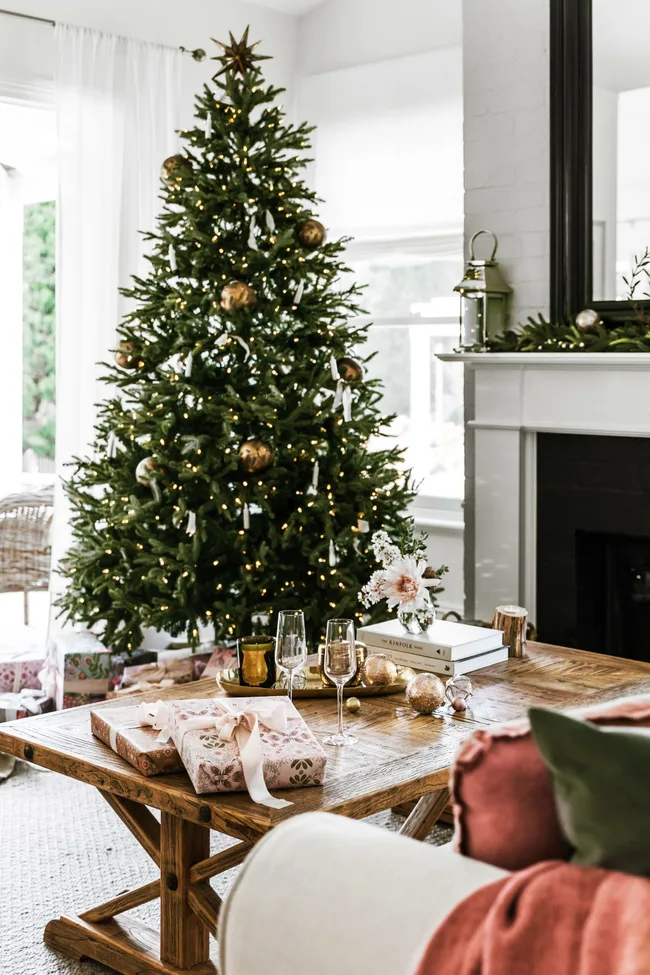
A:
(26, 52)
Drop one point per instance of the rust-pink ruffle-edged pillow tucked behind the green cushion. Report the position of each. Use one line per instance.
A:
(504, 810)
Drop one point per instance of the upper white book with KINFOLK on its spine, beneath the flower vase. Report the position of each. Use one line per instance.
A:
(444, 639)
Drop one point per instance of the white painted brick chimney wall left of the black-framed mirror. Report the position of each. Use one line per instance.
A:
(506, 127)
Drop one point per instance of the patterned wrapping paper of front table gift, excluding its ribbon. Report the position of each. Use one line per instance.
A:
(291, 757)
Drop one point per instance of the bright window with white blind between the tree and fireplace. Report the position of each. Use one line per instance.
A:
(389, 166)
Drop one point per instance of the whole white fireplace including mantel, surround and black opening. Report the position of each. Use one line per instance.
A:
(557, 485)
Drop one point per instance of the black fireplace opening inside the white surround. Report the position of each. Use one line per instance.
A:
(593, 548)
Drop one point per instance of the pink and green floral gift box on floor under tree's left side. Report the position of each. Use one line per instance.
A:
(77, 670)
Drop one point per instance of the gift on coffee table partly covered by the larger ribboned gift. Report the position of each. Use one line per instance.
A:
(120, 729)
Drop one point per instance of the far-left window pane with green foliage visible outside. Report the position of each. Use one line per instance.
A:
(27, 269)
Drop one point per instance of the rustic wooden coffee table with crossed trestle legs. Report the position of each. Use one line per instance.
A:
(400, 757)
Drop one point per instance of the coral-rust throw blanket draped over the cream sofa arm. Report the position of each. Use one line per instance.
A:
(553, 918)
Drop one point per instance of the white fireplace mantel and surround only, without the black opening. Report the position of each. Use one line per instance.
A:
(509, 399)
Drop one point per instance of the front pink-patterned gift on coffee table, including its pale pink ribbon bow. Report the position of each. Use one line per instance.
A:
(232, 745)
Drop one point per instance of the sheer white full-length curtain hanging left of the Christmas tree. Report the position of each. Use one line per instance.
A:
(117, 106)
